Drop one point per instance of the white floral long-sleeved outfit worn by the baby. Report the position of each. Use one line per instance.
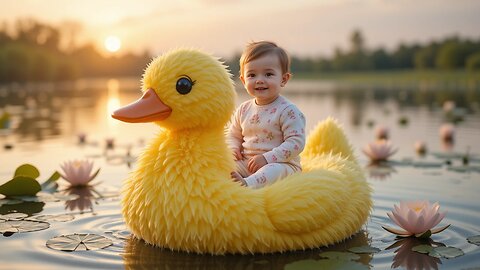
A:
(276, 131)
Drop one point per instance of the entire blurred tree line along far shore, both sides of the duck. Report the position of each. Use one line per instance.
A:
(35, 51)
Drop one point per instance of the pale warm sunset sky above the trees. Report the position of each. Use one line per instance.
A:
(303, 27)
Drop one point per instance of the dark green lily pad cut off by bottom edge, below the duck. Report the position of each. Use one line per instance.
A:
(325, 264)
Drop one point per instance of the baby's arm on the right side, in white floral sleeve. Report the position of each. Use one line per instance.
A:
(292, 124)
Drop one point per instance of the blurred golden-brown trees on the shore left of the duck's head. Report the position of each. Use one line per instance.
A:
(32, 51)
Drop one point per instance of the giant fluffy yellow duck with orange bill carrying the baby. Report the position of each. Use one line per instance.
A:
(181, 196)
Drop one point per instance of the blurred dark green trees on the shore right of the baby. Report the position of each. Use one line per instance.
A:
(451, 53)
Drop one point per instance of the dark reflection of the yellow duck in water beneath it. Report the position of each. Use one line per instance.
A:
(140, 255)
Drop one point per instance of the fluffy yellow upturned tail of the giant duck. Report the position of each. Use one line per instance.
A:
(328, 137)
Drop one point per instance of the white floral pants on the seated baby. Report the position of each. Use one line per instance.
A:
(268, 174)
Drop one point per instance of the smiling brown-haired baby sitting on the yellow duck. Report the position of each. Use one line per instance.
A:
(267, 133)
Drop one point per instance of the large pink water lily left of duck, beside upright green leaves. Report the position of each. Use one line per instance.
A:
(78, 172)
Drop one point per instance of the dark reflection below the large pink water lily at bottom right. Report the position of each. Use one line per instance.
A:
(408, 259)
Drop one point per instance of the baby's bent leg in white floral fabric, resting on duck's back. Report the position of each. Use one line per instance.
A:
(268, 174)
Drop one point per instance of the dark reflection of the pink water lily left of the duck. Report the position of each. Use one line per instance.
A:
(84, 201)
